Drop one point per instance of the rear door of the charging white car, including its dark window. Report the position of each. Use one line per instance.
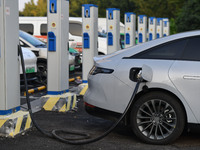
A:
(185, 74)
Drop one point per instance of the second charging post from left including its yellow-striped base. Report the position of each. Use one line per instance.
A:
(58, 97)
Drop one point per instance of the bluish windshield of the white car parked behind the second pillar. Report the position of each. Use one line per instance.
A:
(32, 40)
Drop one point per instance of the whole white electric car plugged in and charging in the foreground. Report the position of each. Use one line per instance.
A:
(165, 103)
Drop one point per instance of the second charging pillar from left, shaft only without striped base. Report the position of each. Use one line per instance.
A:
(58, 59)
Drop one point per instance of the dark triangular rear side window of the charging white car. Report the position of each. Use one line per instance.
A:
(170, 50)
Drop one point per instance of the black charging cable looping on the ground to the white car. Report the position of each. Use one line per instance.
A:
(85, 138)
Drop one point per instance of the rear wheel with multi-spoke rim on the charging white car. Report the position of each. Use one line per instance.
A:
(161, 124)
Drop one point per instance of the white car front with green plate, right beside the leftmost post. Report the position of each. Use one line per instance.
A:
(30, 61)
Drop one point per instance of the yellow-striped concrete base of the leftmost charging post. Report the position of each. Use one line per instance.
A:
(13, 124)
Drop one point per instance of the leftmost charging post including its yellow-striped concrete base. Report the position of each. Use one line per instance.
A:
(12, 120)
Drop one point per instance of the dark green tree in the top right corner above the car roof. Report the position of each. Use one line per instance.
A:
(189, 17)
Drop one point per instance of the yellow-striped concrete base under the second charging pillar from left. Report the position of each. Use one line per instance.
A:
(59, 103)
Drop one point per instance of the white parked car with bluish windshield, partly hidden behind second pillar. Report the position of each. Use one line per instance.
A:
(40, 50)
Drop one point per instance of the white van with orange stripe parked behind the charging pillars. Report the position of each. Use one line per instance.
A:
(37, 26)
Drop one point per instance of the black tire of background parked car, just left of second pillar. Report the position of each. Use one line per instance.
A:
(42, 72)
